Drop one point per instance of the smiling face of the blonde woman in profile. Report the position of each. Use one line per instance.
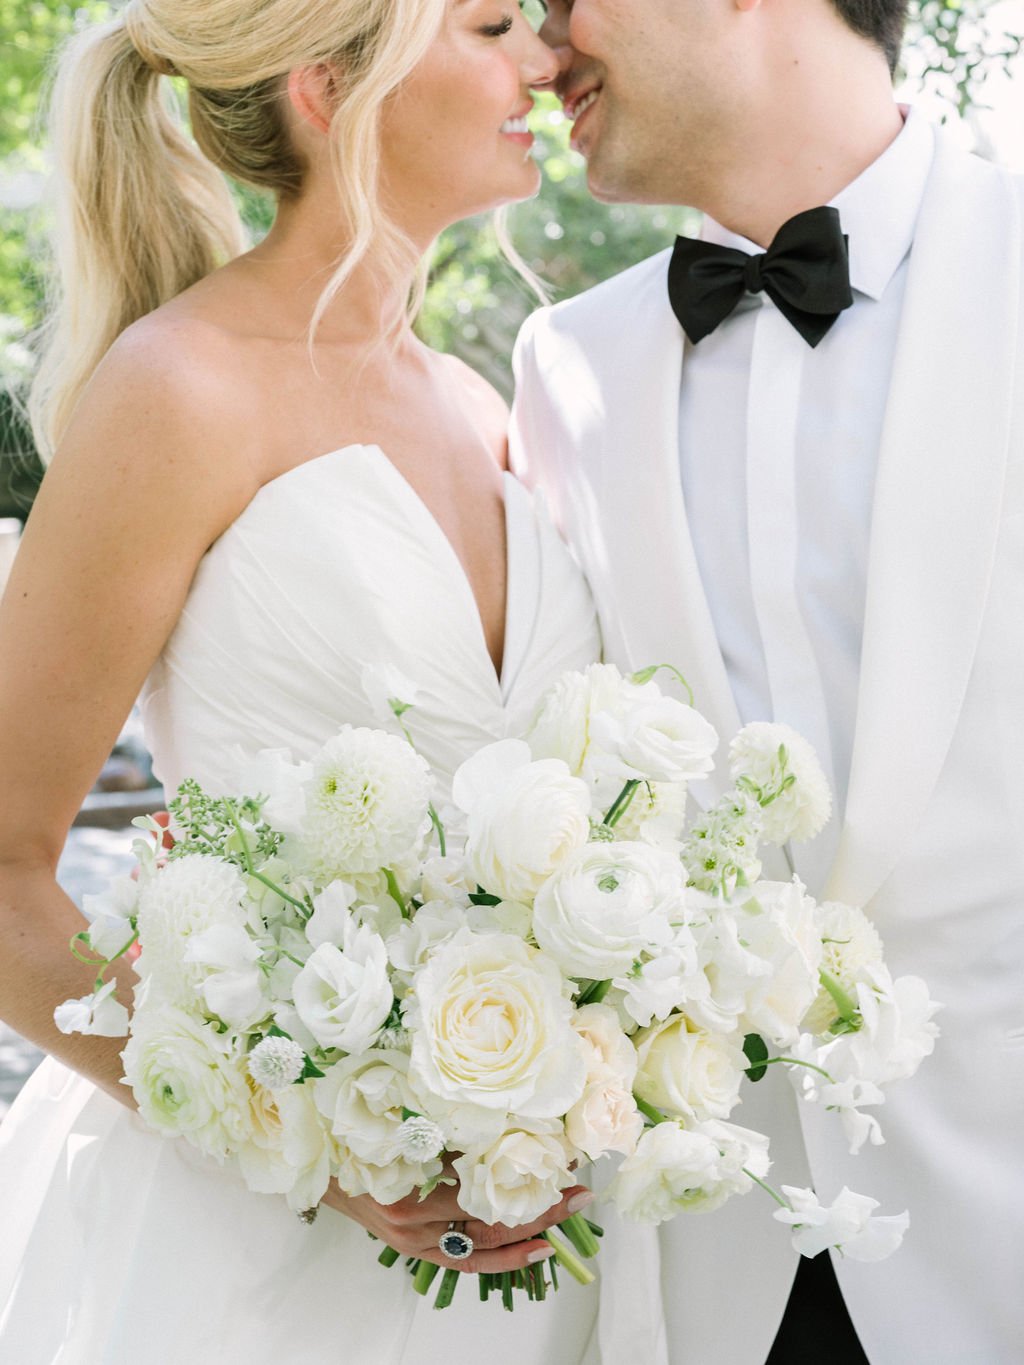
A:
(454, 140)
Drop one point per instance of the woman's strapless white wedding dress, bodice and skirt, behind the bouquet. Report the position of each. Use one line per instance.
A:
(122, 1248)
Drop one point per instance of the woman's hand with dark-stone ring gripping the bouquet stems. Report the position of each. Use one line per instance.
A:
(414, 1228)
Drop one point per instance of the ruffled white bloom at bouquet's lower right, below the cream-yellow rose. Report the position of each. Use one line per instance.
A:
(675, 1170)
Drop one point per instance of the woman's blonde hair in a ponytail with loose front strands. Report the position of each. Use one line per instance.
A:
(143, 212)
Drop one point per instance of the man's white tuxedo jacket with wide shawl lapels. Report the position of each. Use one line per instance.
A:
(933, 843)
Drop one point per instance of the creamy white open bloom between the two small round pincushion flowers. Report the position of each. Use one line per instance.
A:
(362, 1101)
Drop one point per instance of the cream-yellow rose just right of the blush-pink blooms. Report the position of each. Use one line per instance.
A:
(686, 1072)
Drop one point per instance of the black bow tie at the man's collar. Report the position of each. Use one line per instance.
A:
(805, 272)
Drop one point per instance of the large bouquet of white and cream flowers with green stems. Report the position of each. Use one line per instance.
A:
(338, 983)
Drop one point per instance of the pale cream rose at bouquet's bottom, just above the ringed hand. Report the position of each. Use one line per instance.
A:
(518, 1179)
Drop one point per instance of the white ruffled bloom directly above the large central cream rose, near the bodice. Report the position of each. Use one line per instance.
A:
(525, 818)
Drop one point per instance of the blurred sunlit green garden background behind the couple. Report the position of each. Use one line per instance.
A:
(963, 62)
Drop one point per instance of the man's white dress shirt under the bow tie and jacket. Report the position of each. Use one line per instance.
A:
(779, 446)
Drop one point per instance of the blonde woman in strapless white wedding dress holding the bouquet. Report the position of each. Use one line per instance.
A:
(263, 485)
